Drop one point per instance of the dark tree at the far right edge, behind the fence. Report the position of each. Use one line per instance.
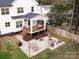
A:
(76, 15)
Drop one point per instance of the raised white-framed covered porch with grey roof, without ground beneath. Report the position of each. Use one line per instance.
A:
(36, 22)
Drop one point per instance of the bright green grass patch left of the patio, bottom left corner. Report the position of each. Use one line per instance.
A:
(8, 53)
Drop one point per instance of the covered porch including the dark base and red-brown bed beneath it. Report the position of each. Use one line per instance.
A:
(36, 24)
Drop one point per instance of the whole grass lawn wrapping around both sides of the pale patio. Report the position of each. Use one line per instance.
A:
(69, 50)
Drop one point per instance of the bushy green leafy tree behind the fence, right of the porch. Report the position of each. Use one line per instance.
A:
(57, 14)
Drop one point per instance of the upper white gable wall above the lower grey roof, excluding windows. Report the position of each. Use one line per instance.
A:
(27, 7)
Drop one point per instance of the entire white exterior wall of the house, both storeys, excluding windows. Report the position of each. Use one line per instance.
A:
(26, 4)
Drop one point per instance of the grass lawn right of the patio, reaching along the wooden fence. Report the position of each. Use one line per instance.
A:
(69, 50)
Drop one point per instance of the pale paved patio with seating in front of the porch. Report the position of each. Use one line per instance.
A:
(33, 47)
